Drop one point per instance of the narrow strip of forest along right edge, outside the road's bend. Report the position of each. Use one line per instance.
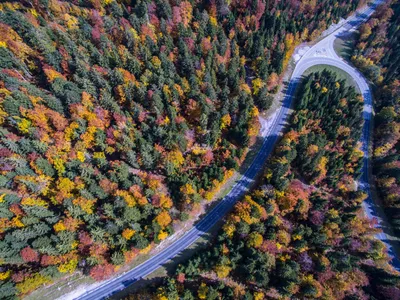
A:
(377, 54)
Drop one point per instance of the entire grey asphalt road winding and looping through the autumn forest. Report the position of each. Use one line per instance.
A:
(321, 53)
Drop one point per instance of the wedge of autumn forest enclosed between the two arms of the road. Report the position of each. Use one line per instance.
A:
(301, 233)
